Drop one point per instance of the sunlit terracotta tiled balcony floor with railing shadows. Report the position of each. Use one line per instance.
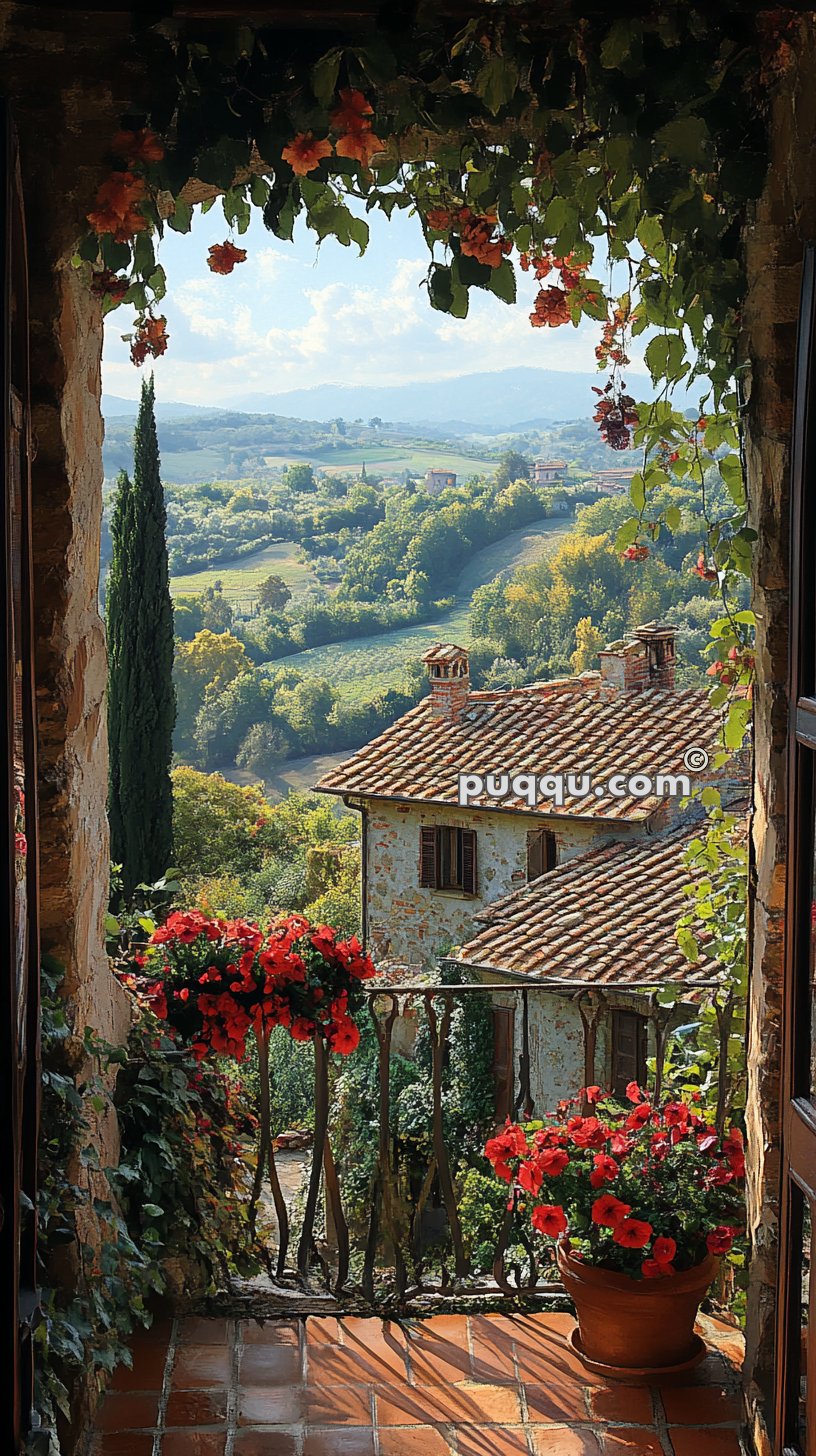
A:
(479, 1385)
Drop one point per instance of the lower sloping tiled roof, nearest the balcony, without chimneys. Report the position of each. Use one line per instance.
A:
(605, 919)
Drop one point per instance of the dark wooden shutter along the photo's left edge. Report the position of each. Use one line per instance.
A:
(20, 1021)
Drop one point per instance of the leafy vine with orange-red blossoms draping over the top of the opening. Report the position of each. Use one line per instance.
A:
(601, 168)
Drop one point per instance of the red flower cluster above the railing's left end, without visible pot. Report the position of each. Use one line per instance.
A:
(218, 982)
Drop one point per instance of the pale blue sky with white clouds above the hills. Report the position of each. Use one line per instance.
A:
(294, 317)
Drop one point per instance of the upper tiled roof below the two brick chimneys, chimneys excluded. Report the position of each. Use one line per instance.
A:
(566, 727)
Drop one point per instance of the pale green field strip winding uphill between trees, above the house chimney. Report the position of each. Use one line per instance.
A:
(371, 665)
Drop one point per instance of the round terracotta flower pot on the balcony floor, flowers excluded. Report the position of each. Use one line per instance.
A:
(636, 1330)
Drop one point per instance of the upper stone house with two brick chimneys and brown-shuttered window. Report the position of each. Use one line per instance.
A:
(439, 850)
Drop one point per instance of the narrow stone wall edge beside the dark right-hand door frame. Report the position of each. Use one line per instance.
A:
(785, 221)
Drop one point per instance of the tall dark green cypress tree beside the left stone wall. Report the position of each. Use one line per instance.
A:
(142, 704)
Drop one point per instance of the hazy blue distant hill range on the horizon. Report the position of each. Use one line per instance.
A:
(490, 403)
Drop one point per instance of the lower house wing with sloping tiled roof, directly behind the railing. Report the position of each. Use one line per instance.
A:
(592, 941)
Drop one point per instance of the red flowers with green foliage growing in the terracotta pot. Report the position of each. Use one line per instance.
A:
(616, 1182)
